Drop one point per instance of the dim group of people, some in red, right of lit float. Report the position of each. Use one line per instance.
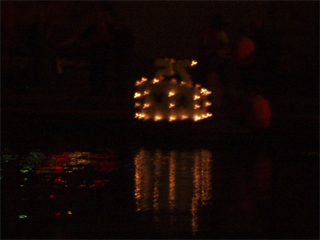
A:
(245, 66)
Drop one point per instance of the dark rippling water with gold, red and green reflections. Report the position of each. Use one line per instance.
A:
(155, 192)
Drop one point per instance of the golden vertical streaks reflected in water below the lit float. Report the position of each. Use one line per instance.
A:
(174, 182)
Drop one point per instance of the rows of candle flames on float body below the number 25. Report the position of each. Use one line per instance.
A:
(167, 109)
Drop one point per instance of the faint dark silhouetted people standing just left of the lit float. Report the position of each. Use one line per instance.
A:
(110, 45)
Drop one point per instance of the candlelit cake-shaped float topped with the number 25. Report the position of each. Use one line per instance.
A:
(166, 98)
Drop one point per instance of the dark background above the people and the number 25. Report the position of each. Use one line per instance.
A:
(169, 29)
